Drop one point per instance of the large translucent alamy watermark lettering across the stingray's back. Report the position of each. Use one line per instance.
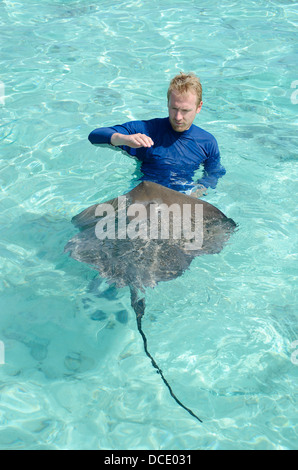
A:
(158, 221)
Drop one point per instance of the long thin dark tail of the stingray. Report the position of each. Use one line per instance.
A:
(139, 307)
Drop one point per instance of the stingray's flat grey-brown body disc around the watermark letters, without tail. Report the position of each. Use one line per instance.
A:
(143, 262)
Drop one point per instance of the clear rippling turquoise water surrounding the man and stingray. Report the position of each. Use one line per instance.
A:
(75, 374)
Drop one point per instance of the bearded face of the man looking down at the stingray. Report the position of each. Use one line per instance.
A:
(183, 109)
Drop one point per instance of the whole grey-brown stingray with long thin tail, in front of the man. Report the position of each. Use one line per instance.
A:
(149, 235)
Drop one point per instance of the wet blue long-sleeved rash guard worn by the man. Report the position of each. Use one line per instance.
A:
(174, 157)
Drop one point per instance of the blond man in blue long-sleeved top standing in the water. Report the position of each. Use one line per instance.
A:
(171, 149)
